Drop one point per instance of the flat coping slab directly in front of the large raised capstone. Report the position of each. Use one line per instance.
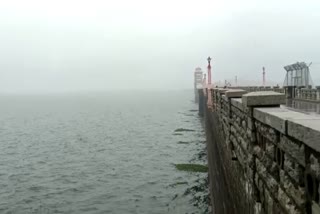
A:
(276, 117)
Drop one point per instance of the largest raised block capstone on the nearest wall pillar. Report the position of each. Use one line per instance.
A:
(263, 98)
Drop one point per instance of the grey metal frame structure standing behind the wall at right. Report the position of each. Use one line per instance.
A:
(298, 76)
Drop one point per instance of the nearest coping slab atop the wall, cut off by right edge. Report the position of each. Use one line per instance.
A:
(306, 131)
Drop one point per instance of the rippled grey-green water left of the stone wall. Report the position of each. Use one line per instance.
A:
(100, 153)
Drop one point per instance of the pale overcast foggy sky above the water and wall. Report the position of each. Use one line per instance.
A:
(77, 45)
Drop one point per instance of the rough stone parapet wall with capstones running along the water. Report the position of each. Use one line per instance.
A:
(262, 158)
